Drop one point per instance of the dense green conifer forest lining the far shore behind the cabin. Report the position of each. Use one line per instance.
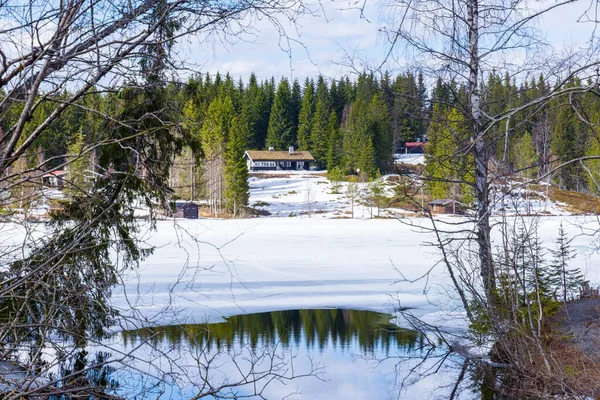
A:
(347, 124)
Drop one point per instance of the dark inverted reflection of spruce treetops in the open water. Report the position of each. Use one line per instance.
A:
(312, 328)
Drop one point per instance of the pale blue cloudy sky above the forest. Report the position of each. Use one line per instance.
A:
(340, 39)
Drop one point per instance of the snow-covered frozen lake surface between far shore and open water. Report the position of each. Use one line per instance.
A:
(205, 269)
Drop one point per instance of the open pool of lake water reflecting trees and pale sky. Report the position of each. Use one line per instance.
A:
(340, 354)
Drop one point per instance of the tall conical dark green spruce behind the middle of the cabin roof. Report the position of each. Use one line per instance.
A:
(280, 134)
